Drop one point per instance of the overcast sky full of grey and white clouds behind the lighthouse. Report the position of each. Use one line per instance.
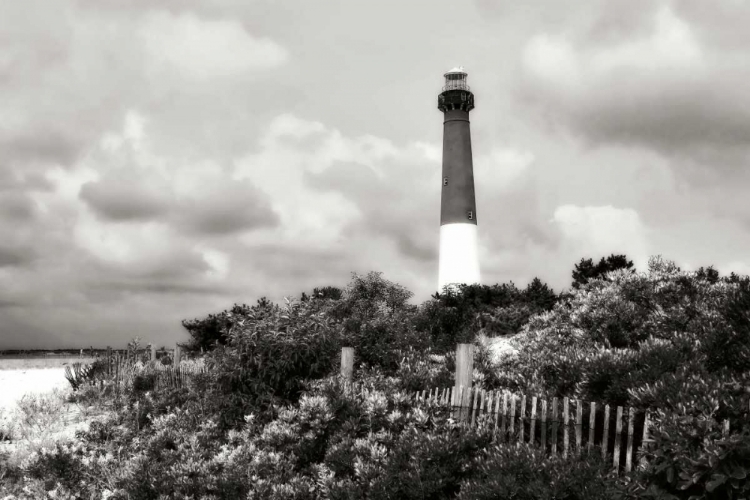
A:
(162, 160)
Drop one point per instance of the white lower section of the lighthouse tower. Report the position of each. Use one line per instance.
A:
(459, 255)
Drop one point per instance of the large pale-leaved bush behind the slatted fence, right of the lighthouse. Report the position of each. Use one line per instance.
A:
(627, 331)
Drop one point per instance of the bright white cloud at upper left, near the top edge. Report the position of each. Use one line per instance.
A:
(205, 49)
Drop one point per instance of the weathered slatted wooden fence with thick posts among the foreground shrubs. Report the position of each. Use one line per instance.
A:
(557, 425)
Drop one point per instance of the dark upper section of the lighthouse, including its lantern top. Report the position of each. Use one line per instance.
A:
(457, 203)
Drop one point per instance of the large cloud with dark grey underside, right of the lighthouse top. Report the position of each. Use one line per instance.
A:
(664, 88)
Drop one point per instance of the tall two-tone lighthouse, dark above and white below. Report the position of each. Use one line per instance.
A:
(459, 259)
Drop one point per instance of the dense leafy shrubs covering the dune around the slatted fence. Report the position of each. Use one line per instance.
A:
(271, 420)
